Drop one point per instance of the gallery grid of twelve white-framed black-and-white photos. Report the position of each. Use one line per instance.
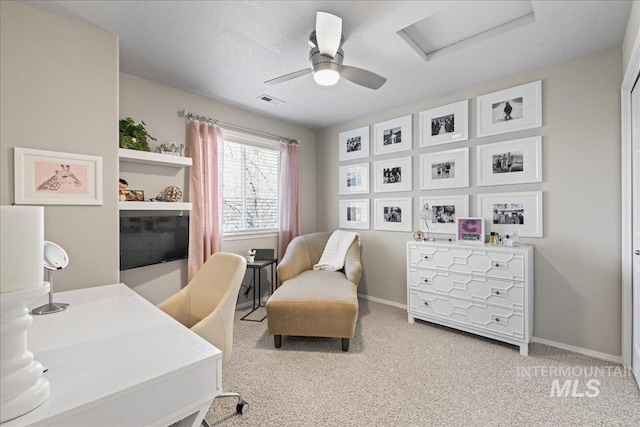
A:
(390, 183)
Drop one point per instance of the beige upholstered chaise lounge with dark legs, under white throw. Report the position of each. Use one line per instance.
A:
(315, 303)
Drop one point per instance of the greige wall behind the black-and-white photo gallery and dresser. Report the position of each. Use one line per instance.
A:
(577, 262)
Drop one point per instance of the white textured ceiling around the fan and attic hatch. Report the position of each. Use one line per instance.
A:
(227, 49)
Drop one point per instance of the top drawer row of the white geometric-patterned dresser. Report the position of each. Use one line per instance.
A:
(478, 261)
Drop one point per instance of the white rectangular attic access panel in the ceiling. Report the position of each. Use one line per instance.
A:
(465, 23)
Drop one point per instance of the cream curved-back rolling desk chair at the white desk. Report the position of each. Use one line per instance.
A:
(207, 305)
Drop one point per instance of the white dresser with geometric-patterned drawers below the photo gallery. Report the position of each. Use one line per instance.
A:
(486, 290)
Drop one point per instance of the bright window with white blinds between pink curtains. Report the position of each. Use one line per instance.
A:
(250, 187)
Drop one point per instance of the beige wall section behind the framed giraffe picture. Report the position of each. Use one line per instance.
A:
(59, 80)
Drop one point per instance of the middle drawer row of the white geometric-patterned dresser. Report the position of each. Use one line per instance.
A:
(485, 290)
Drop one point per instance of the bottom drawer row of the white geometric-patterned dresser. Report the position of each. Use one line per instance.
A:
(466, 313)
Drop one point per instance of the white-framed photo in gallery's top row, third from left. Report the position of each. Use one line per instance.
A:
(441, 125)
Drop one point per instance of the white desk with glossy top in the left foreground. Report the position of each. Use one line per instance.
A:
(114, 359)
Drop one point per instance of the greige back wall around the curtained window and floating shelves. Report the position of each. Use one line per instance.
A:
(158, 105)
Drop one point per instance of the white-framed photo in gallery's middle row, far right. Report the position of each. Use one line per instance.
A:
(510, 162)
